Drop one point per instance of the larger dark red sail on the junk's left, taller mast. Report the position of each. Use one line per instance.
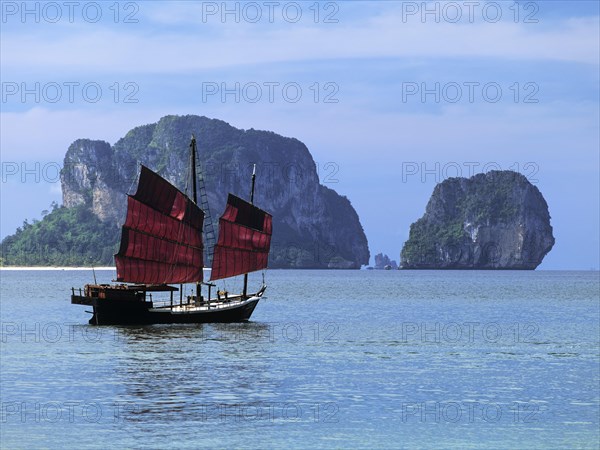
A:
(161, 239)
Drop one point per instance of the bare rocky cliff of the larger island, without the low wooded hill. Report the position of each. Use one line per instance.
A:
(313, 226)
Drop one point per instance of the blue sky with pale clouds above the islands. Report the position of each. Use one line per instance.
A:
(389, 97)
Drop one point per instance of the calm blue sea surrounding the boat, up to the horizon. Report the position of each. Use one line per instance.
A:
(331, 359)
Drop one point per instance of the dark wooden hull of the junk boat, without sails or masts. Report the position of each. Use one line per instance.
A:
(122, 311)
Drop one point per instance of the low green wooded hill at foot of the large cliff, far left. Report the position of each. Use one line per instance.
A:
(64, 237)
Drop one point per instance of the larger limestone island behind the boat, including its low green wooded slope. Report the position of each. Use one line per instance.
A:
(313, 226)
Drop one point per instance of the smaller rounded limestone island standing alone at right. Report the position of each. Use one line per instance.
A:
(496, 220)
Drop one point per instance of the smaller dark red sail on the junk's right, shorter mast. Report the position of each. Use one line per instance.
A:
(244, 239)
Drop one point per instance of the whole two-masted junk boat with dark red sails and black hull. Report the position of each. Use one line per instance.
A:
(162, 246)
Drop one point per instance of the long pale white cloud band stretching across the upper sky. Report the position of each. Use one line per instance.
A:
(140, 50)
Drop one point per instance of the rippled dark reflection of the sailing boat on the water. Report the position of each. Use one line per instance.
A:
(179, 372)
